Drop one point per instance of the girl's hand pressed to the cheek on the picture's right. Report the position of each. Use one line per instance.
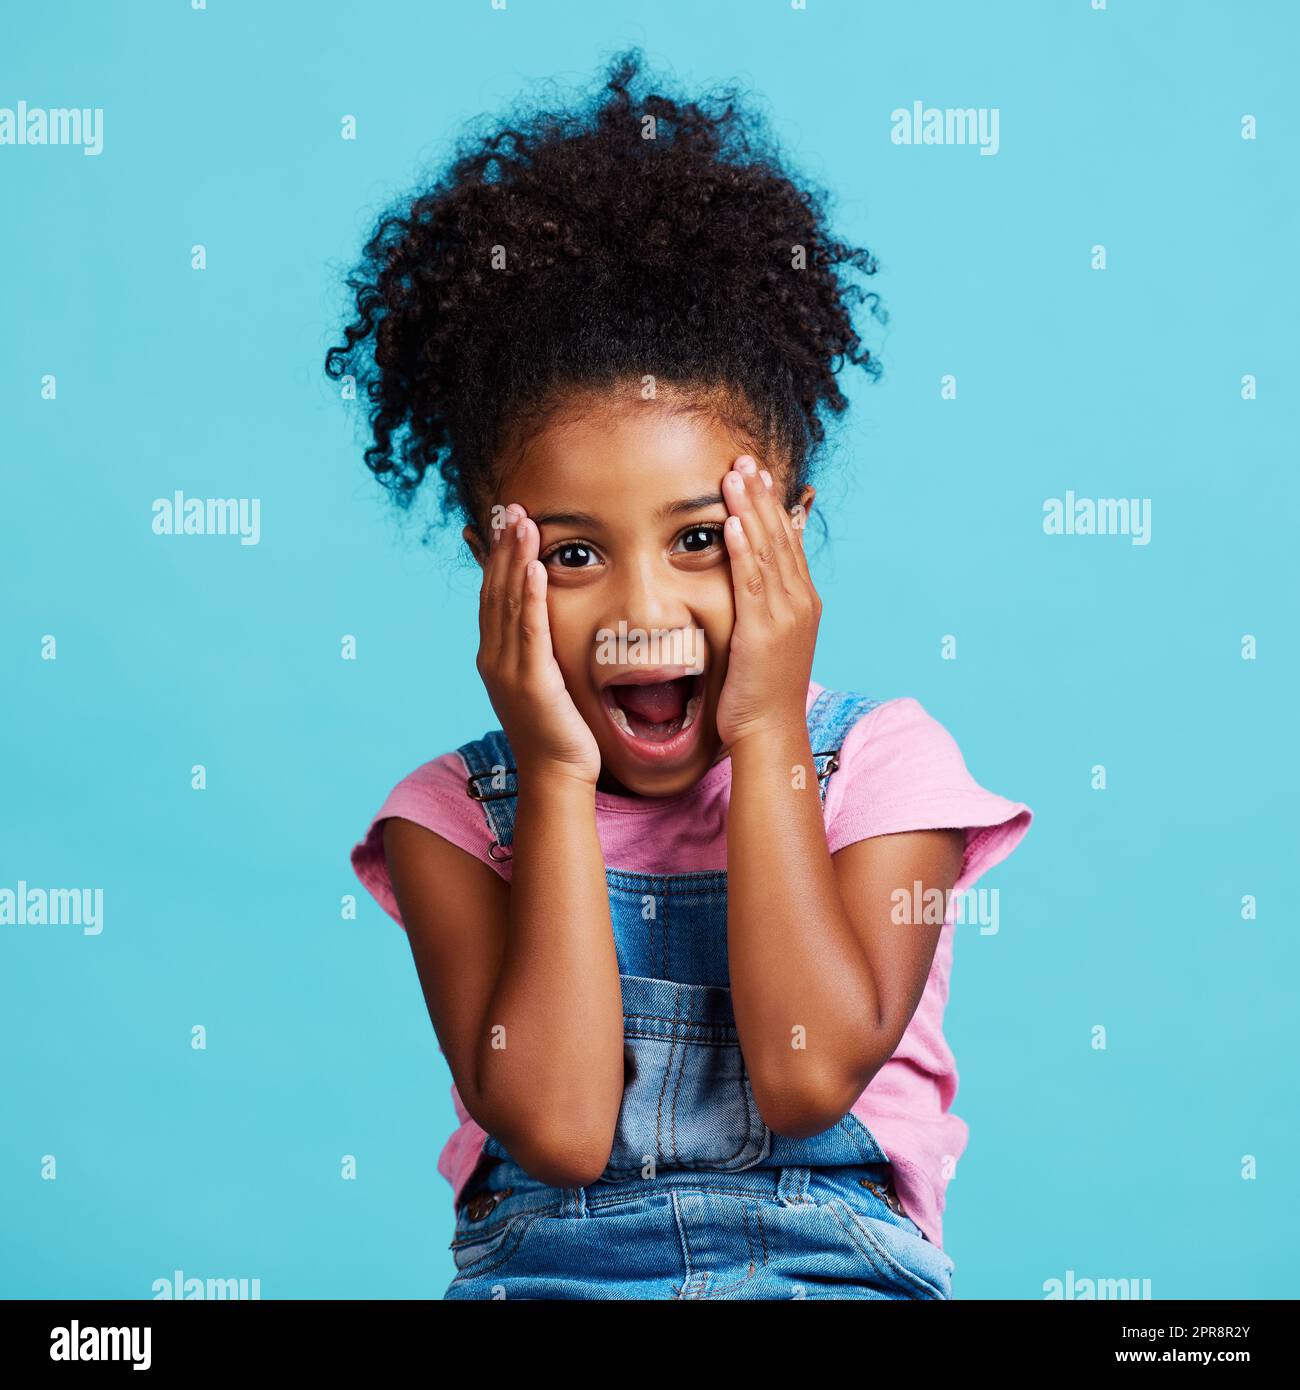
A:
(778, 611)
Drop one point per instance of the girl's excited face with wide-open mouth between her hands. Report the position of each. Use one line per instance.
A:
(628, 500)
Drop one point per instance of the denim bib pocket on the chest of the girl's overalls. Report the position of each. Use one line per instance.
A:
(688, 1100)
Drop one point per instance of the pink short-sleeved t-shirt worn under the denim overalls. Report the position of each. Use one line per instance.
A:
(899, 771)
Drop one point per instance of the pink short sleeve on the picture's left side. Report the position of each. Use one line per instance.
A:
(434, 797)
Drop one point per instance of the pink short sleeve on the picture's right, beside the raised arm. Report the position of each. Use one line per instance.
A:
(900, 769)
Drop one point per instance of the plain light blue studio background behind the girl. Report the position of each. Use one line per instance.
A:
(223, 908)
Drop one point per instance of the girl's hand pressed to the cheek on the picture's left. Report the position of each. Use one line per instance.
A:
(517, 661)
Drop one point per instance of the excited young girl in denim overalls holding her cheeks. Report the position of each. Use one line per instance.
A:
(667, 917)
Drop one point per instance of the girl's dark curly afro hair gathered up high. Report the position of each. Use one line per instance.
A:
(567, 252)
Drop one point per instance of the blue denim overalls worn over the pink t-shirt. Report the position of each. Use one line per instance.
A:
(700, 1199)
